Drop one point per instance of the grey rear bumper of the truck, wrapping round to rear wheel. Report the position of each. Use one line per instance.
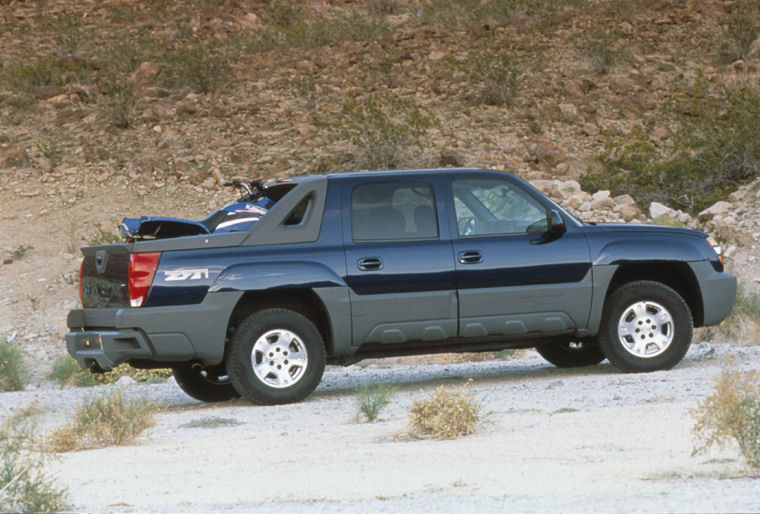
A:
(109, 337)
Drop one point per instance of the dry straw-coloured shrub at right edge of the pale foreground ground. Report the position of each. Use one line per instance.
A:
(732, 412)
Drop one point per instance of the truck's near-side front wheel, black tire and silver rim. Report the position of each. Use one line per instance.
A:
(646, 326)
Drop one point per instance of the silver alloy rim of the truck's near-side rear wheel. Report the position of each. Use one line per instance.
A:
(279, 358)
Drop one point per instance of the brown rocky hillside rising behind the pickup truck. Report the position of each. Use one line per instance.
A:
(122, 107)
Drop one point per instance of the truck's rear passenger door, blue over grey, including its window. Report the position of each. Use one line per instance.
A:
(400, 269)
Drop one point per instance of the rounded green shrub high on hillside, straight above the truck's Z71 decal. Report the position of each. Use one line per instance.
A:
(199, 67)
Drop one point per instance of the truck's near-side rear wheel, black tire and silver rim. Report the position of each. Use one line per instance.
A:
(276, 356)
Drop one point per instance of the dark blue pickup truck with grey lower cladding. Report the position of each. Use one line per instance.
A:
(347, 266)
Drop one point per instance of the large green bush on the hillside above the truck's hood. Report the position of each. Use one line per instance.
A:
(715, 149)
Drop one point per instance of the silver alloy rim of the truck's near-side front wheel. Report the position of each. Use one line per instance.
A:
(645, 329)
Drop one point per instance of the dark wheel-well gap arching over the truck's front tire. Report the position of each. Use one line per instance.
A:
(676, 275)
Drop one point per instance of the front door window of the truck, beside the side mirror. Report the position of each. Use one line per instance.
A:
(496, 207)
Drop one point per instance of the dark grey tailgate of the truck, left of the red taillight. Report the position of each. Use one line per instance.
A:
(105, 271)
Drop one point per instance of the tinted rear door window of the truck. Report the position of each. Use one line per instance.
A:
(393, 211)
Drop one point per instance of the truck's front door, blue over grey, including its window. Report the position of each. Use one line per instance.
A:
(512, 278)
